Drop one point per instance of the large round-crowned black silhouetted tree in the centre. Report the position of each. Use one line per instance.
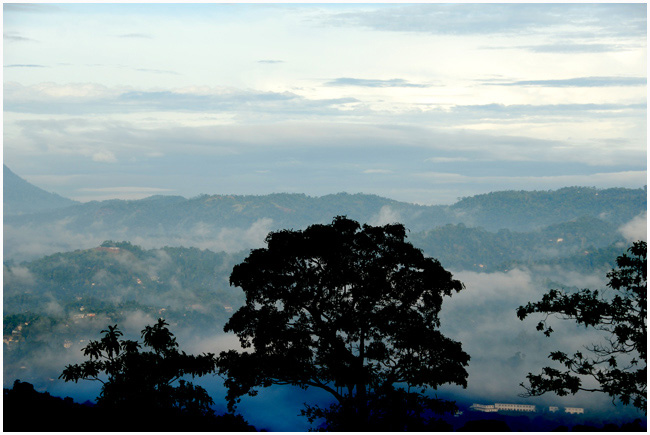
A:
(346, 308)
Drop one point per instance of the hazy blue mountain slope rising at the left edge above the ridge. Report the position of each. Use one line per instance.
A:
(21, 197)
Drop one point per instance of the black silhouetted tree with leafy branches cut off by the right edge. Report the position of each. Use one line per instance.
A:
(620, 365)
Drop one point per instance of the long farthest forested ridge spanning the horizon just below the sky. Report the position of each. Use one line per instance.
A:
(515, 210)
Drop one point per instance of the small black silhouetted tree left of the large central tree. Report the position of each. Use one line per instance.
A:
(152, 379)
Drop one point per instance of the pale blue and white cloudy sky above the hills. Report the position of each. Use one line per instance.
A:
(422, 103)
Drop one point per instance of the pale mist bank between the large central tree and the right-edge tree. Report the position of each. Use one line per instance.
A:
(504, 351)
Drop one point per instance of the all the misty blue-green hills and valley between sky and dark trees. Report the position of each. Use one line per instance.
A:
(65, 280)
